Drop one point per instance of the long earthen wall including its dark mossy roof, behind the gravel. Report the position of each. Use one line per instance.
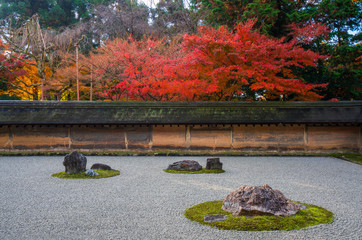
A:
(186, 126)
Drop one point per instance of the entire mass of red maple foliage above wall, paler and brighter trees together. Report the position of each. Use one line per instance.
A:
(216, 64)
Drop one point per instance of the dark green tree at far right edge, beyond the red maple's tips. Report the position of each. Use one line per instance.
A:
(342, 70)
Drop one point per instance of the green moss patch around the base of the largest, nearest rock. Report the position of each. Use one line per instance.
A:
(311, 216)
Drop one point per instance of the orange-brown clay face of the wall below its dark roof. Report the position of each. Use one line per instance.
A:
(242, 138)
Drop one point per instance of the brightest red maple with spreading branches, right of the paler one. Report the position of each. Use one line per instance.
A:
(244, 63)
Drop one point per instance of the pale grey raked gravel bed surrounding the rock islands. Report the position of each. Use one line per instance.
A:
(144, 202)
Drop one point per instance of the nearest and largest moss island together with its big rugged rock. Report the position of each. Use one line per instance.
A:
(258, 208)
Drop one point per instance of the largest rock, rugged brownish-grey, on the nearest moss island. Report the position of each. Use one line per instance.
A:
(259, 200)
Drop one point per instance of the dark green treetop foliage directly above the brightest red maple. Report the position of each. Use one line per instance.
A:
(272, 16)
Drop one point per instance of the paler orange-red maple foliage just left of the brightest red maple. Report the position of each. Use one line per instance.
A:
(149, 69)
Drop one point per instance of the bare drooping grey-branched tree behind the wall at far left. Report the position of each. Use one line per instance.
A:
(41, 50)
